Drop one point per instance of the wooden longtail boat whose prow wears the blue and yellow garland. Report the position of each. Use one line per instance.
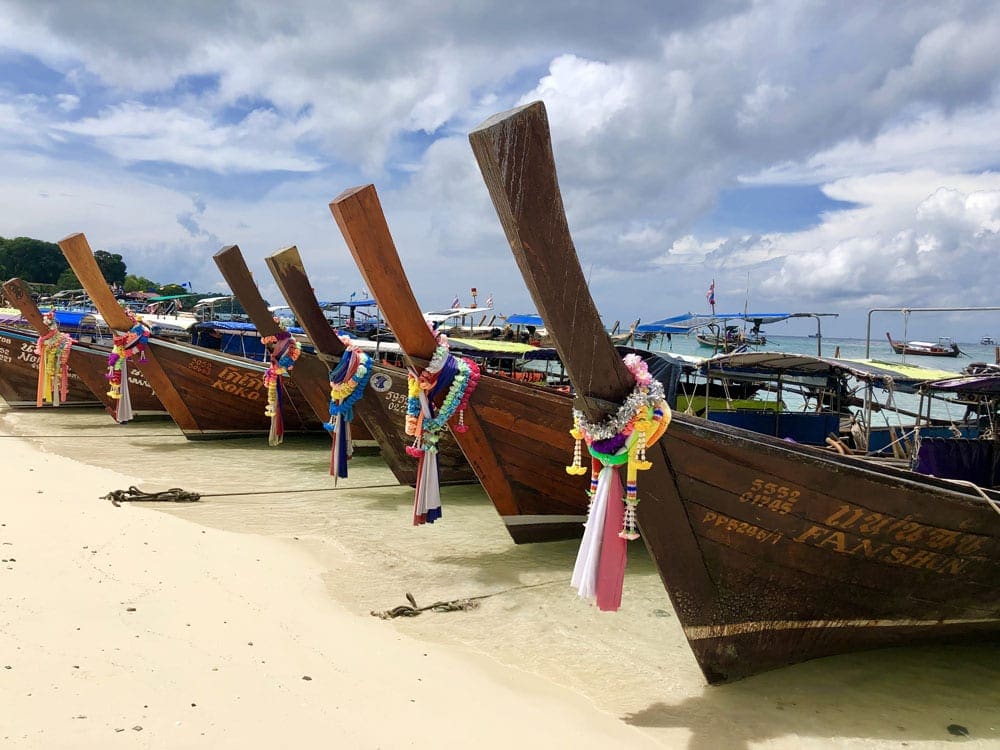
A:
(382, 410)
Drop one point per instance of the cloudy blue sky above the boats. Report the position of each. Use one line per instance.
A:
(807, 156)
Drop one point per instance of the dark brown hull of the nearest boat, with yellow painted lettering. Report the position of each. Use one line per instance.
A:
(810, 554)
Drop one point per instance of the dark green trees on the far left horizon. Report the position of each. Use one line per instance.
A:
(41, 262)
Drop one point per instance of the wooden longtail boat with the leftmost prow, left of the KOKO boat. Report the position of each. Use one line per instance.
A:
(88, 362)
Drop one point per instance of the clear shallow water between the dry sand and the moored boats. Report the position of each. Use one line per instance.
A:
(634, 664)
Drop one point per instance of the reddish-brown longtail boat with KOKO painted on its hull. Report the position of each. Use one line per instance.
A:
(208, 394)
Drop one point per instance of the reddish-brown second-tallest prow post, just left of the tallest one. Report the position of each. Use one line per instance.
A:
(358, 213)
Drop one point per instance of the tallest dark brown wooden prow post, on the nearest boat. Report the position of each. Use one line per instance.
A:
(515, 156)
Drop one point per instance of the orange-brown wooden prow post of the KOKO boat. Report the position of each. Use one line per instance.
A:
(77, 251)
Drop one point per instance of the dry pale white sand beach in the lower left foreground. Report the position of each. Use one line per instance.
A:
(125, 627)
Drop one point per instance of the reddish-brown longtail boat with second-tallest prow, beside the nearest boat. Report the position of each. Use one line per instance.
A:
(516, 431)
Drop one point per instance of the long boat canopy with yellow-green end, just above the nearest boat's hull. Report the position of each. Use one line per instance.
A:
(758, 364)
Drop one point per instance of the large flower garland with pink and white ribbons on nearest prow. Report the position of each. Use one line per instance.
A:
(621, 439)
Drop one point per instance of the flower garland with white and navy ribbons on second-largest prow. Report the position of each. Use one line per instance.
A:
(456, 378)
